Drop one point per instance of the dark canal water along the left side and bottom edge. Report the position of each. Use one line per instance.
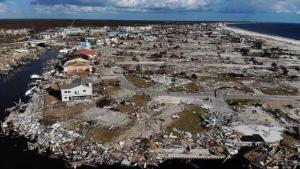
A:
(13, 149)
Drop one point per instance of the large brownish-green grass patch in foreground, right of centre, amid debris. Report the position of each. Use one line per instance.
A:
(190, 120)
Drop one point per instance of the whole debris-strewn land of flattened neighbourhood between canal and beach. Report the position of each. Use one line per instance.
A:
(138, 96)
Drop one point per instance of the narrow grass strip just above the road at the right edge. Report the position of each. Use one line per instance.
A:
(282, 90)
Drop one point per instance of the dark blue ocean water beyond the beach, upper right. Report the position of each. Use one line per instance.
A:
(286, 30)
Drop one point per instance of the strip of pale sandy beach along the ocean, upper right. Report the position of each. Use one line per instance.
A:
(261, 35)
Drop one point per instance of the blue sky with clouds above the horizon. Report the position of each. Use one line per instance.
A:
(191, 10)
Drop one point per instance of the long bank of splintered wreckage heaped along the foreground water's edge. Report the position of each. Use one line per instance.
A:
(220, 142)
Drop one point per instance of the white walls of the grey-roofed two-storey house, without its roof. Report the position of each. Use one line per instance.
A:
(79, 91)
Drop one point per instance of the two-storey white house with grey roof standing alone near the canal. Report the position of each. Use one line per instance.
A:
(79, 89)
